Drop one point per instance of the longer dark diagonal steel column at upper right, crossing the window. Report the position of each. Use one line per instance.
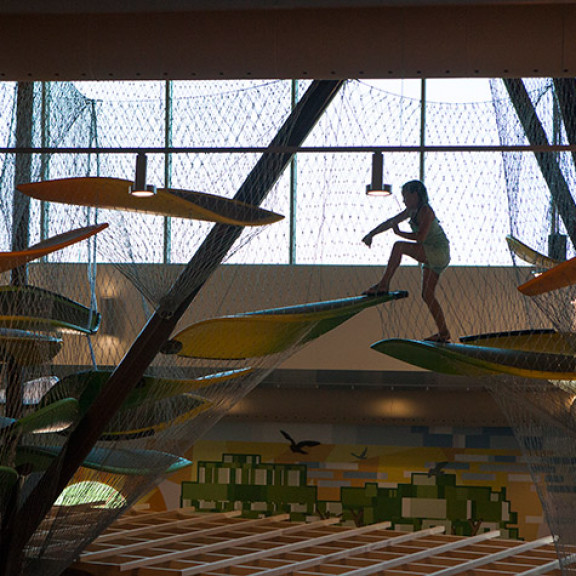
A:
(546, 160)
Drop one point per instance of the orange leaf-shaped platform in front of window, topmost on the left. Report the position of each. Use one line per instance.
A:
(113, 194)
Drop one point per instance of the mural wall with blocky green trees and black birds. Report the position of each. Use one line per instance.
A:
(360, 472)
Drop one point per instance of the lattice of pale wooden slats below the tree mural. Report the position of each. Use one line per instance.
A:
(221, 545)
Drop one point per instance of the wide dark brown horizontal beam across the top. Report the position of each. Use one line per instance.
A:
(288, 39)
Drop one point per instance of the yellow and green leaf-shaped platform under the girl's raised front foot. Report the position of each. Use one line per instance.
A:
(267, 332)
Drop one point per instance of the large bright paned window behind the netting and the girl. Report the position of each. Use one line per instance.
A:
(207, 136)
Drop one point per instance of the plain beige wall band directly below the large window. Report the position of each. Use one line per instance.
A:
(482, 299)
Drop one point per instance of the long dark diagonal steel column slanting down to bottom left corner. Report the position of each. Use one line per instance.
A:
(158, 329)
